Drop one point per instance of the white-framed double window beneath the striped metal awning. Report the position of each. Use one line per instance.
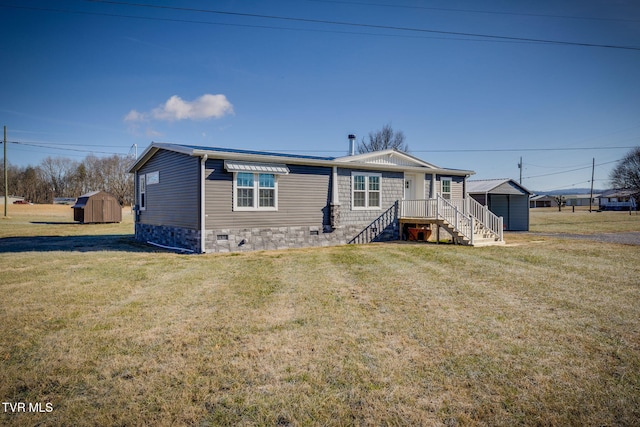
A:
(255, 191)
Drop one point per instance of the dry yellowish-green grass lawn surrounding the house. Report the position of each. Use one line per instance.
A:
(541, 331)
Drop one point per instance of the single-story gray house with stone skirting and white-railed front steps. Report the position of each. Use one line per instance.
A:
(207, 199)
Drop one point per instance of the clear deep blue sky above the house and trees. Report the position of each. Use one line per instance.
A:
(82, 77)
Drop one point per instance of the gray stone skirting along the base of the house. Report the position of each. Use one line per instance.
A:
(251, 239)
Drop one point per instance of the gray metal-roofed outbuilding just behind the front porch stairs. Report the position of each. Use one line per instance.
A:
(505, 198)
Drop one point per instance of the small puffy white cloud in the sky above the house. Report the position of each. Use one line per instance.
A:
(205, 107)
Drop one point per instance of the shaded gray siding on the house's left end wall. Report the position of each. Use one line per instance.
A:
(174, 201)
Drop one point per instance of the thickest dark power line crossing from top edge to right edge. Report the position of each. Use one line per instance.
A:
(361, 25)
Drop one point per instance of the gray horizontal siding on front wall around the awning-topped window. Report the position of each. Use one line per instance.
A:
(303, 199)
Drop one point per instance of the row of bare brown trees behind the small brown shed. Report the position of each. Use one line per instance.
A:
(64, 177)
